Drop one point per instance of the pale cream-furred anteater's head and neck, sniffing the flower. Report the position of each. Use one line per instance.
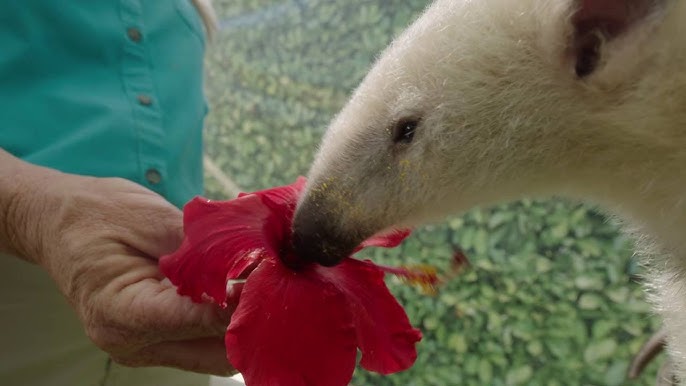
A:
(583, 99)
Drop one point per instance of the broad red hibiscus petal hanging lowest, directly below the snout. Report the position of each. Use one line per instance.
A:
(291, 328)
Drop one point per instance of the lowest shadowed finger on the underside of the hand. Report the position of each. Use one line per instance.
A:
(205, 355)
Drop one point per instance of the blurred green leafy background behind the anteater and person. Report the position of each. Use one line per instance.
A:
(553, 296)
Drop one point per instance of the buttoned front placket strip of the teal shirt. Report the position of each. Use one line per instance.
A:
(146, 110)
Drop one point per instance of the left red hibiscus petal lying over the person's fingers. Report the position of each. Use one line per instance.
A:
(223, 239)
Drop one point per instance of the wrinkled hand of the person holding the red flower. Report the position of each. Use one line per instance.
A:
(99, 239)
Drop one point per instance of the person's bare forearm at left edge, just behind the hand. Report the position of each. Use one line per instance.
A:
(21, 208)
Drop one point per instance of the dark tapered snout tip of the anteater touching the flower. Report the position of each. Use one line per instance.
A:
(316, 239)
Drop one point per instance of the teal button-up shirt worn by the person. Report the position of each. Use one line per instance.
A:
(105, 88)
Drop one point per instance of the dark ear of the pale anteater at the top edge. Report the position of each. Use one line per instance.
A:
(597, 22)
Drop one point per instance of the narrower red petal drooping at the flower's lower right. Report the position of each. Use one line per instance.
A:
(384, 334)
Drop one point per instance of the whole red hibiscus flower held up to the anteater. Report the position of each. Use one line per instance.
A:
(292, 326)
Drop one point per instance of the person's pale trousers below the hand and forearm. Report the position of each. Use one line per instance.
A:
(42, 342)
